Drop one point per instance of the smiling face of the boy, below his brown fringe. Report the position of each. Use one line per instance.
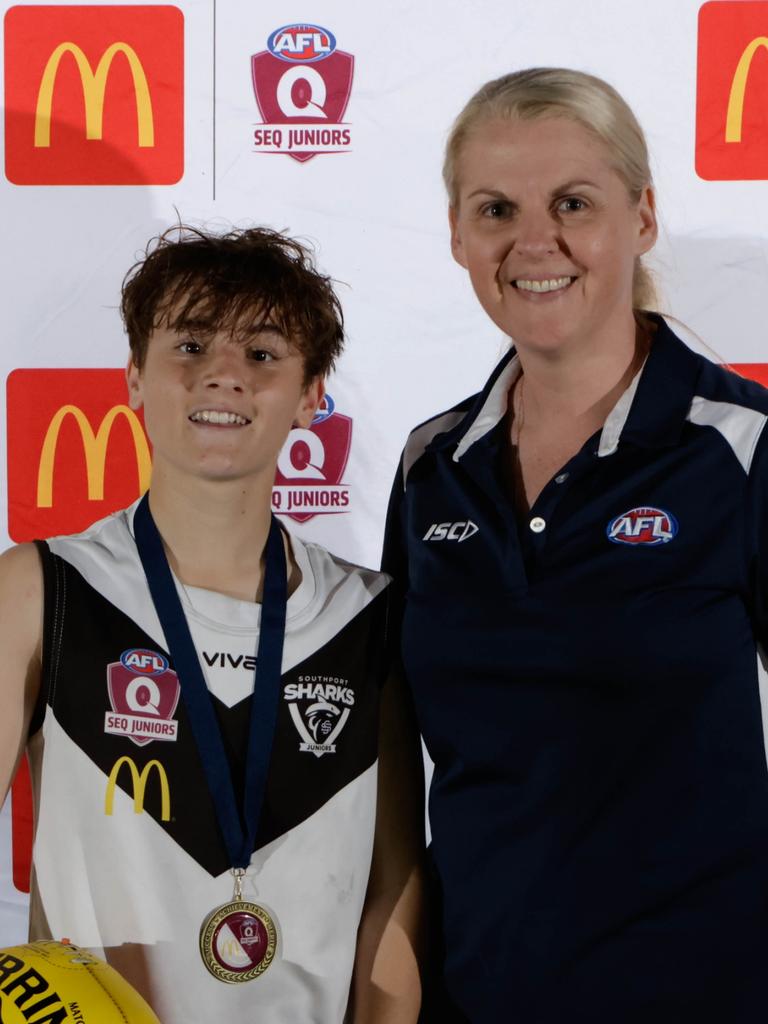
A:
(220, 406)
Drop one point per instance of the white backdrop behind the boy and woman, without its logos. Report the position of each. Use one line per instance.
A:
(376, 215)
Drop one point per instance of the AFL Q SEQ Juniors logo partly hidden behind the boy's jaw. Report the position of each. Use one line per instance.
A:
(311, 466)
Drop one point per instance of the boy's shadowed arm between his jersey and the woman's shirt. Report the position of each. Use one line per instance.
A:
(387, 987)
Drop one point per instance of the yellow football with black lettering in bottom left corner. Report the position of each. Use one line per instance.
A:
(58, 984)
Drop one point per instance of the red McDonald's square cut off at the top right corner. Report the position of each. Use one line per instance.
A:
(733, 91)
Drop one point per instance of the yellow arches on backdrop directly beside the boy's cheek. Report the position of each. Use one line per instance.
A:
(95, 447)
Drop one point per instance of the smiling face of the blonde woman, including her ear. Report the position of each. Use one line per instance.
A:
(548, 233)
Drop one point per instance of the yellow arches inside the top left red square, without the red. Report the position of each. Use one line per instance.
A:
(95, 87)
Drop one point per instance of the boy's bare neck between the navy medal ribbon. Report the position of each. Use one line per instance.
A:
(216, 533)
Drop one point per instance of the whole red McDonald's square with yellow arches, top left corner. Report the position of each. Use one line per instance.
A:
(94, 96)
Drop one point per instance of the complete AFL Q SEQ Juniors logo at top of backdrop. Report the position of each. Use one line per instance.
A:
(303, 86)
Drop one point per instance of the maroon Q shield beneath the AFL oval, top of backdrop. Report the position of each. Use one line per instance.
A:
(309, 100)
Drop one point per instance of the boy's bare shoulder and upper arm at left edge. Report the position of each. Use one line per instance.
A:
(21, 642)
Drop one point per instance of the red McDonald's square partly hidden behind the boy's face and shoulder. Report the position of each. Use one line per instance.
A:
(76, 451)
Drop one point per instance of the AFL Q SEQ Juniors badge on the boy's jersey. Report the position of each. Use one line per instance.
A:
(144, 694)
